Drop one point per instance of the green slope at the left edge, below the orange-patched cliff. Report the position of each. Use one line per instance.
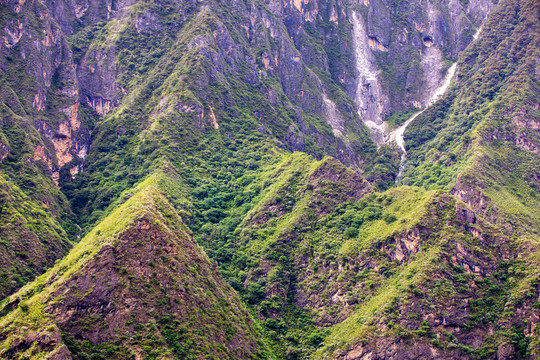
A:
(36, 223)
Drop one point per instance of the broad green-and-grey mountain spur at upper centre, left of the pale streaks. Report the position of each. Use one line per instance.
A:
(198, 92)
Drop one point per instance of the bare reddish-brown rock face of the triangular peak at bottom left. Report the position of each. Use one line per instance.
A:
(129, 285)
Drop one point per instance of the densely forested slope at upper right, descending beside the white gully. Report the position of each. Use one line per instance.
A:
(484, 133)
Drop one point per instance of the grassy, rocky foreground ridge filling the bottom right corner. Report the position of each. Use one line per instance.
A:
(451, 286)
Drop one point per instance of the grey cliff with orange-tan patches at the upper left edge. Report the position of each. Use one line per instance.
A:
(50, 88)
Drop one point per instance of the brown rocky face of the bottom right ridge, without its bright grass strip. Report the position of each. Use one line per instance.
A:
(446, 307)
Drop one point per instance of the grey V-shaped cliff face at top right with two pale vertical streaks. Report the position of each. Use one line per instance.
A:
(398, 51)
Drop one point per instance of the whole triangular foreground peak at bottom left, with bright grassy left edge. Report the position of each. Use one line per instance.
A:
(137, 285)
